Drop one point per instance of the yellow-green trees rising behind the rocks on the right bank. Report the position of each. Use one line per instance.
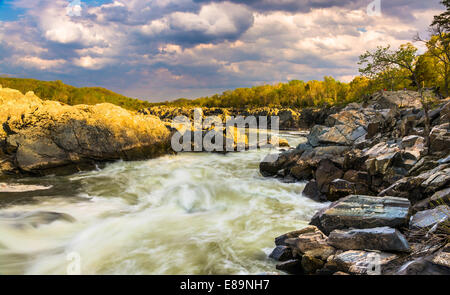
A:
(382, 69)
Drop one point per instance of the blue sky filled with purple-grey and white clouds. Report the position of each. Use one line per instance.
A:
(166, 49)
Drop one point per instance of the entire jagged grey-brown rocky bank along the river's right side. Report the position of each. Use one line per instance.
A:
(390, 192)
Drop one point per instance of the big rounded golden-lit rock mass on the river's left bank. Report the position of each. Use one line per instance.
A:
(40, 137)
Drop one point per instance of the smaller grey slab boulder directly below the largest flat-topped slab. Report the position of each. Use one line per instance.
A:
(379, 238)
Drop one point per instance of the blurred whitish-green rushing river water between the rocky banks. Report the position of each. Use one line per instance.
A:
(184, 214)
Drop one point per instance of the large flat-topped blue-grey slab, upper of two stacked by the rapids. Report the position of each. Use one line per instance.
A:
(357, 211)
